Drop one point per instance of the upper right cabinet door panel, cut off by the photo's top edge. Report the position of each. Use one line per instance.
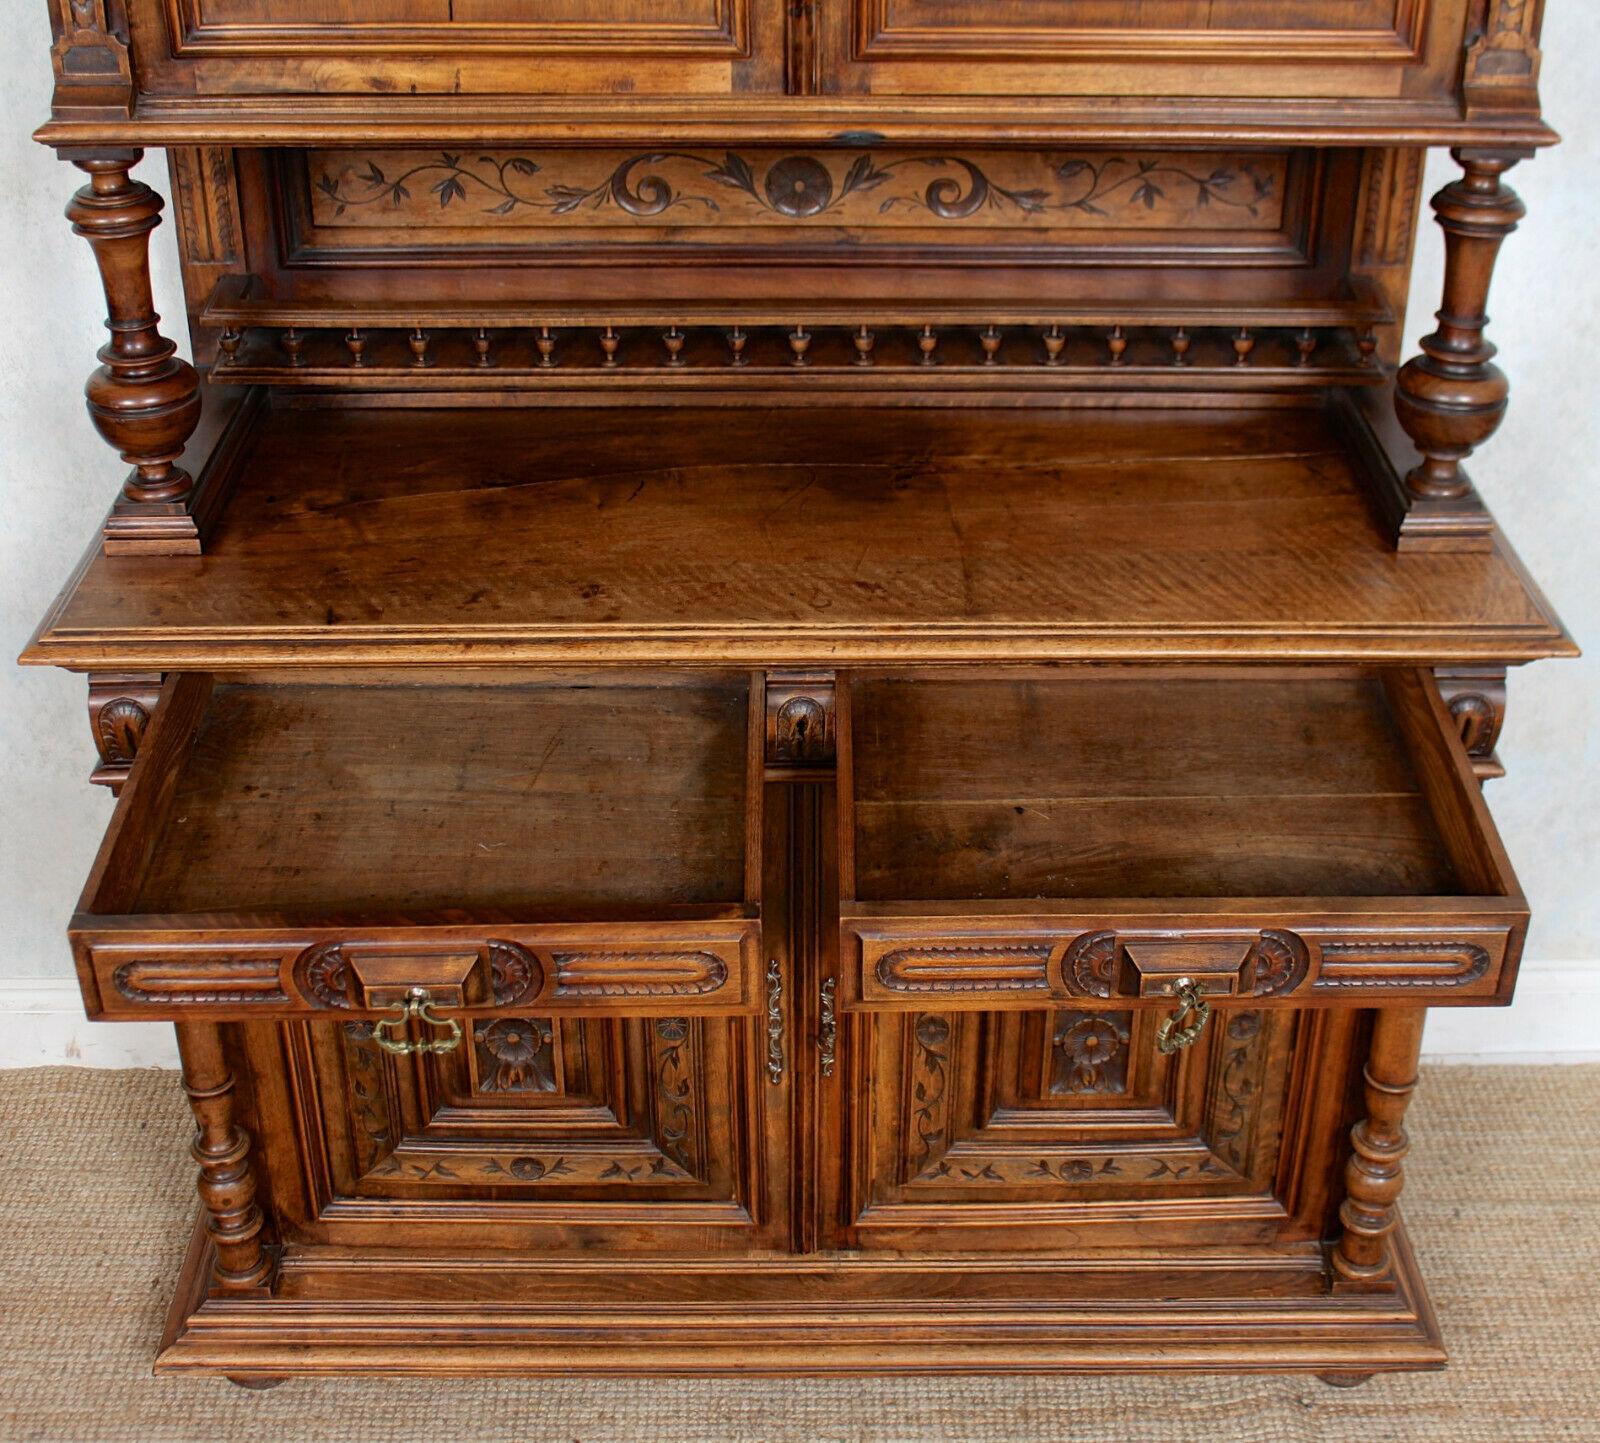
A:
(1183, 49)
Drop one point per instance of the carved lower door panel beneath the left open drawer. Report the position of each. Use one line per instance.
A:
(530, 1133)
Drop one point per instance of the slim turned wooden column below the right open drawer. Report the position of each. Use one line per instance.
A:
(1378, 1146)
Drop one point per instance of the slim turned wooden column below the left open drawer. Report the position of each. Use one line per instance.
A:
(228, 1185)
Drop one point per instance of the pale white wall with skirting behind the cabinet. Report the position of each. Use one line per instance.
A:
(1542, 476)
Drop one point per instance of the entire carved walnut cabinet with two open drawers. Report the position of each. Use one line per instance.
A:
(799, 686)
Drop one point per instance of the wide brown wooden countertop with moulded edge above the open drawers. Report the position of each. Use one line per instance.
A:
(398, 532)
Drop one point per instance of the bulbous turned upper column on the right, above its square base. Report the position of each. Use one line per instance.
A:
(1452, 399)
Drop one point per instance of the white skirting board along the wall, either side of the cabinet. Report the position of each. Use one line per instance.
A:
(1554, 1020)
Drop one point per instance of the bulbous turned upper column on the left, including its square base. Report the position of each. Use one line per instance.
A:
(145, 399)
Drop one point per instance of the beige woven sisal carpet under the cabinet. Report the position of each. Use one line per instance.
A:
(97, 1194)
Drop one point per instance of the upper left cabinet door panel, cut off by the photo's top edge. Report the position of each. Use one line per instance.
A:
(462, 47)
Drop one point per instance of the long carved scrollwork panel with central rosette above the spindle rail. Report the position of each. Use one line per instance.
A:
(750, 193)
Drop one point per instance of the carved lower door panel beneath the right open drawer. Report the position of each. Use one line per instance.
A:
(1020, 1130)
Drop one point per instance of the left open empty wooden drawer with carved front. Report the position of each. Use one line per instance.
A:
(297, 847)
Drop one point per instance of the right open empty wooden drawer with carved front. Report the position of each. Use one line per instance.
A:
(1276, 837)
